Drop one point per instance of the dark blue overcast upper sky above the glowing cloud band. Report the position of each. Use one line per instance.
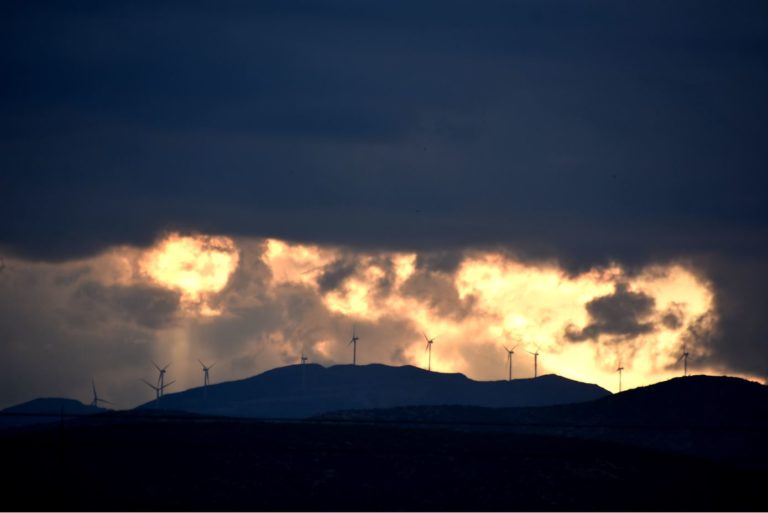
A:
(585, 131)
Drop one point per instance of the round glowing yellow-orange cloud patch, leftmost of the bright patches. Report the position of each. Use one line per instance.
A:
(197, 266)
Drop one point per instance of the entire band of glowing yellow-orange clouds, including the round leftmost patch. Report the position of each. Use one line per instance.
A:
(502, 302)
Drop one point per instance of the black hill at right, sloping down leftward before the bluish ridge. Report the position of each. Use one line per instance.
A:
(716, 417)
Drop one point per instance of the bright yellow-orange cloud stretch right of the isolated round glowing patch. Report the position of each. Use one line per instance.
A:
(513, 303)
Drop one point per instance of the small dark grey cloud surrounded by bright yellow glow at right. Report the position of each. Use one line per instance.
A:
(623, 314)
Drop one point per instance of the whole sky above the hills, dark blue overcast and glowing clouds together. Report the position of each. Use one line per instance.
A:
(242, 182)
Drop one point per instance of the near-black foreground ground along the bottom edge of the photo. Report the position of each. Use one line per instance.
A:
(190, 464)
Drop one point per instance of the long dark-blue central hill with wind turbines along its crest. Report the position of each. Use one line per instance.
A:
(299, 391)
